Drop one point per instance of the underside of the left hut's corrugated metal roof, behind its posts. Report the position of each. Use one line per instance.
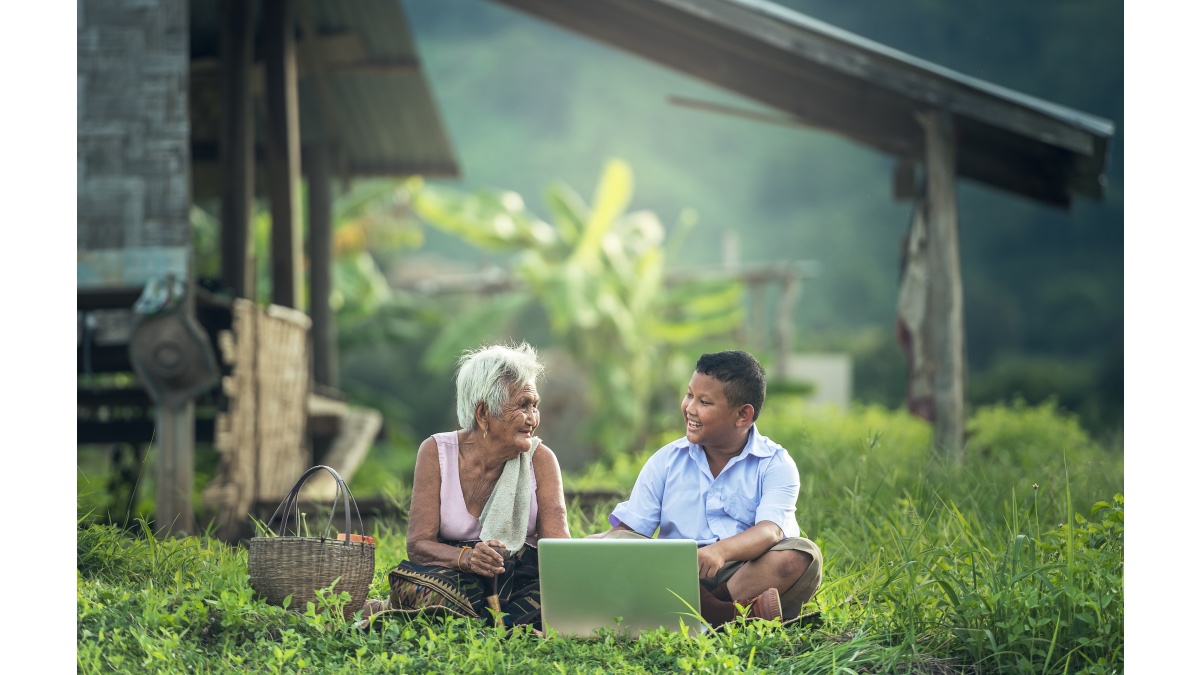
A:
(380, 111)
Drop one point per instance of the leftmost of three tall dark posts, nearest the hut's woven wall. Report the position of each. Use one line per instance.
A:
(237, 150)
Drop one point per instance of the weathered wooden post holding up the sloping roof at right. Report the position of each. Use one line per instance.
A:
(946, 283)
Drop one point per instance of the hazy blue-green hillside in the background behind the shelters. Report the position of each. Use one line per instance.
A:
(527, 104)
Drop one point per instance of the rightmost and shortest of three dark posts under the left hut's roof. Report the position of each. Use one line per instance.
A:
(321, 253)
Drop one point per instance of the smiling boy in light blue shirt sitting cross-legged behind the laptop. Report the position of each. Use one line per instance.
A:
(734, 492)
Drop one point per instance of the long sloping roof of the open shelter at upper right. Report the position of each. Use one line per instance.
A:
(833, 80)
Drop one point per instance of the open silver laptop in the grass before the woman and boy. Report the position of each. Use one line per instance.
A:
(627, 586)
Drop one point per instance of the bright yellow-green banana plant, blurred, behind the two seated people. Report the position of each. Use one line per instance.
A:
(597, 272)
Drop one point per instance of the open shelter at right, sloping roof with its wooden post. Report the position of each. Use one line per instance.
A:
(928, 117)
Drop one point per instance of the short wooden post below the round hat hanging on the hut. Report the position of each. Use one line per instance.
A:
(176, 438)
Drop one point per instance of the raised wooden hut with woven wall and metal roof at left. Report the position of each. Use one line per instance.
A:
(237, 100)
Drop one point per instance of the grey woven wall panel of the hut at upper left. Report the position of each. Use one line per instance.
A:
(133, 124)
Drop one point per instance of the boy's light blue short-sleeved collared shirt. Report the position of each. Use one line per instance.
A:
(676, 493)
